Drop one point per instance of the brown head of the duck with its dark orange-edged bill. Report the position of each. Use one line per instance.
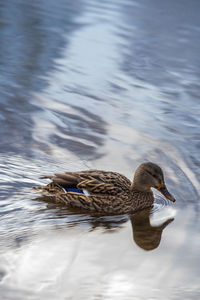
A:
(150, 175)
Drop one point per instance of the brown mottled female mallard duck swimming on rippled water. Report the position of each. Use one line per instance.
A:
(108, 192)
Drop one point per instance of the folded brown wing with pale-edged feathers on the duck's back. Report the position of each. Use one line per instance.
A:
(94, 181)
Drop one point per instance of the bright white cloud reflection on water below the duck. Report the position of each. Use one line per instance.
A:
(78, 264)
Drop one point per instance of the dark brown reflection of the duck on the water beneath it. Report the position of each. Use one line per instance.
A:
(145, 235)
